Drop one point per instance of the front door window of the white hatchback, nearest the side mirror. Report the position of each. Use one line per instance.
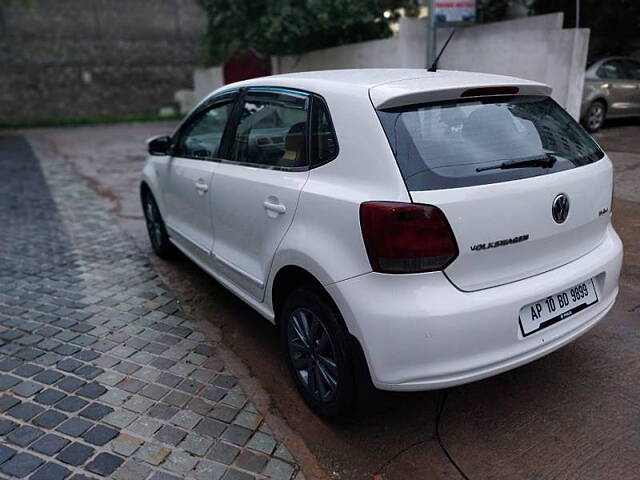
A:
(202, 136)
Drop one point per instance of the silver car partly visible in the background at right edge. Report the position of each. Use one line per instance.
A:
(611, 90)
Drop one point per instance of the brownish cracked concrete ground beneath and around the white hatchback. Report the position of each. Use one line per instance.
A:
(573, 414)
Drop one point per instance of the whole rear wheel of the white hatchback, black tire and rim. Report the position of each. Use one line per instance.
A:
(316, 347)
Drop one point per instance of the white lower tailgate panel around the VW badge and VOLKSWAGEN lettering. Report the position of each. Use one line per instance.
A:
(488, 213)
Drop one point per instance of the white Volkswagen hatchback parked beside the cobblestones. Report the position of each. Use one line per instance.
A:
(420, 229)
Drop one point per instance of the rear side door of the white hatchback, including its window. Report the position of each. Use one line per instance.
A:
(256, 187)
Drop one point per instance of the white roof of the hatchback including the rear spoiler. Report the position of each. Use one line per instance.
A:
(389, 87)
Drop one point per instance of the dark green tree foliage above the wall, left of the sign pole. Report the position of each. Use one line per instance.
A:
(285, 27)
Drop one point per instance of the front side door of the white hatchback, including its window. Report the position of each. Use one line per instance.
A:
(188, 180)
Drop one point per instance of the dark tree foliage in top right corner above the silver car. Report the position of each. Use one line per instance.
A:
(614, 25)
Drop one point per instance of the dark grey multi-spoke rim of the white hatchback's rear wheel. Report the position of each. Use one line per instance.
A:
(312, 354)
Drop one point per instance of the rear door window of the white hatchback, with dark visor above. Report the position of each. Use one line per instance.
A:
(272, 131)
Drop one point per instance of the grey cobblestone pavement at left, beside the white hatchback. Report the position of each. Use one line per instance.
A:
(100, 373)
